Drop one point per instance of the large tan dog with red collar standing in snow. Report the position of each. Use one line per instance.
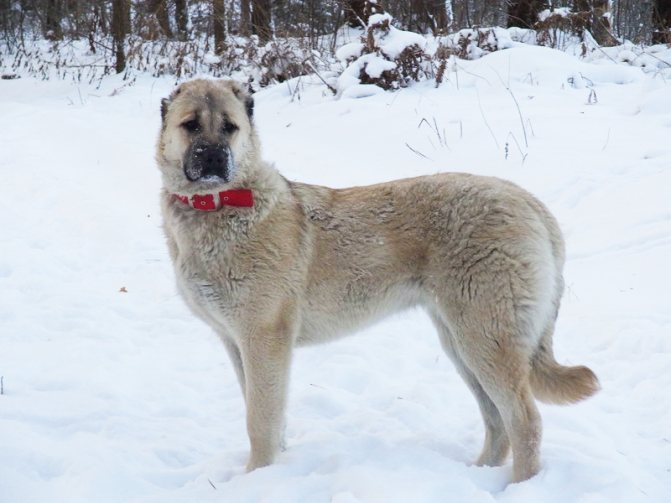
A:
(272, 264)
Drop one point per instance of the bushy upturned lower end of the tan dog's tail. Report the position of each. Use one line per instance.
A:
(555, 383)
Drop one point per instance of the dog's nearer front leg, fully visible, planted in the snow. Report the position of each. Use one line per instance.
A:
(266, 356)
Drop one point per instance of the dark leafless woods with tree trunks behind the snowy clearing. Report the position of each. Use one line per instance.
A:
(222, 24)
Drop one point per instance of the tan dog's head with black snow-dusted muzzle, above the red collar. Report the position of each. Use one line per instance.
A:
(207, 135)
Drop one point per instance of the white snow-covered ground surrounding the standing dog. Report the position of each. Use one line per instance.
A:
(113, 392)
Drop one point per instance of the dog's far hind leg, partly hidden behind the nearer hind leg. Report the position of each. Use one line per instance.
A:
(496, 445)
